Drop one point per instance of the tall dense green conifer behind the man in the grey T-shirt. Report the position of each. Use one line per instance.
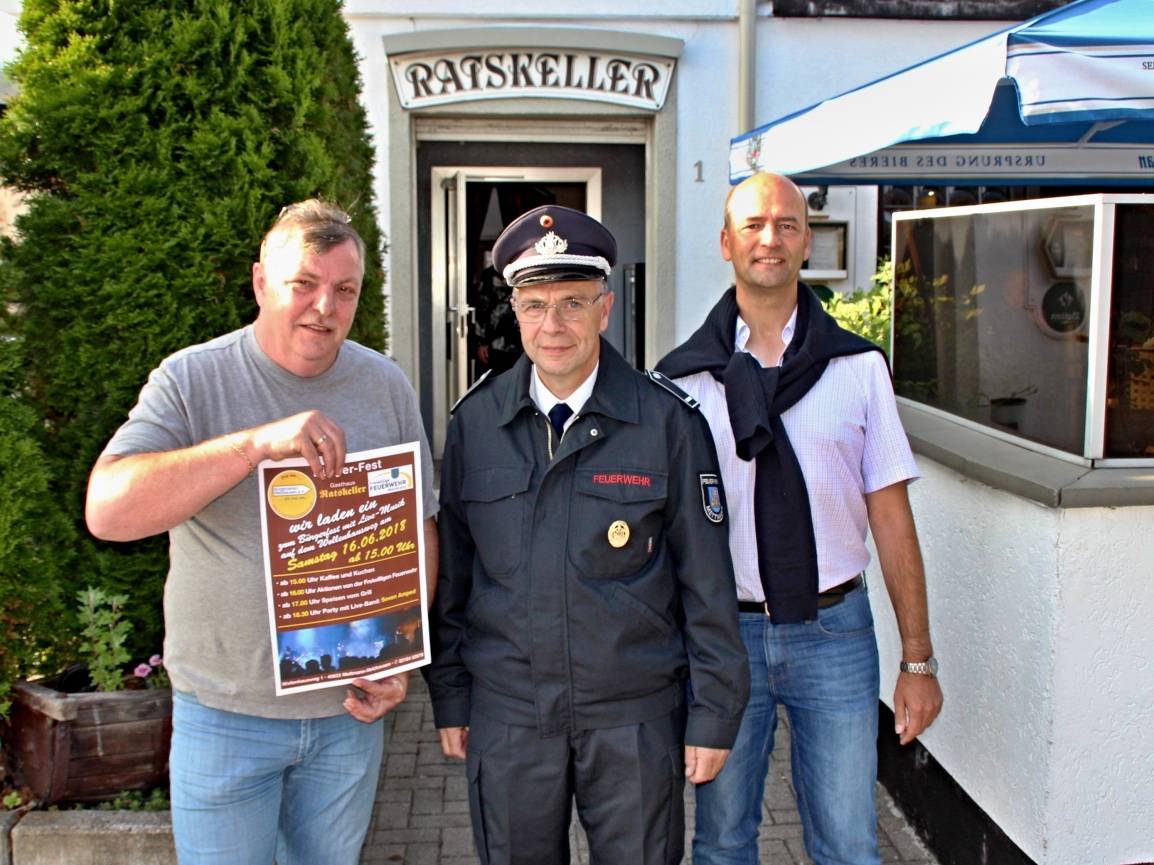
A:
(159, 140)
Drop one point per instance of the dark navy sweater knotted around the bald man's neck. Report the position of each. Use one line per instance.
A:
(758, 397)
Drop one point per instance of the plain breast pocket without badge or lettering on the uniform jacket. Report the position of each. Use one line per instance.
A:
(494, 505)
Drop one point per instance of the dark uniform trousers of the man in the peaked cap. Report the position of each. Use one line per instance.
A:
(627, 783)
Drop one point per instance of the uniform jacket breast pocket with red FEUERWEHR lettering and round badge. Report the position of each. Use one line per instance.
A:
(618, 518)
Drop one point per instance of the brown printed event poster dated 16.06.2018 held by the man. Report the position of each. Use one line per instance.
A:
(346, 567)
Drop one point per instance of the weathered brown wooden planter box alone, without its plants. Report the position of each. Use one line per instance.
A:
(89, 747)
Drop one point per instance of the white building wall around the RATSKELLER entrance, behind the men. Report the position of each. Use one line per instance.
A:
(621, 108)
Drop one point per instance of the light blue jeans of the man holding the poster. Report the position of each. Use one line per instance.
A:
(248, 789)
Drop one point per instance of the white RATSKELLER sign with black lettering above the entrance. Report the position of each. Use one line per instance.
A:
(440, 78)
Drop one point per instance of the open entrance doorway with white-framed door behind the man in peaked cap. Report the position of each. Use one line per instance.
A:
(467, 205)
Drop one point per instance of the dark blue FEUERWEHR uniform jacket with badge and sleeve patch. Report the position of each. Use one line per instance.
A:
(538, 619)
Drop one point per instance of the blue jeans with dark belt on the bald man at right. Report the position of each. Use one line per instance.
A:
(826, 673)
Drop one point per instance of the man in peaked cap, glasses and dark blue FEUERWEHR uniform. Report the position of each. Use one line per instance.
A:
(586, 633)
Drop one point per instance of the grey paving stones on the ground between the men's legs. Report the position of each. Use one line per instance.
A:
(422, 814)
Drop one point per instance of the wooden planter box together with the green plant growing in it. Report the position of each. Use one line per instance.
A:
(83, 738)
